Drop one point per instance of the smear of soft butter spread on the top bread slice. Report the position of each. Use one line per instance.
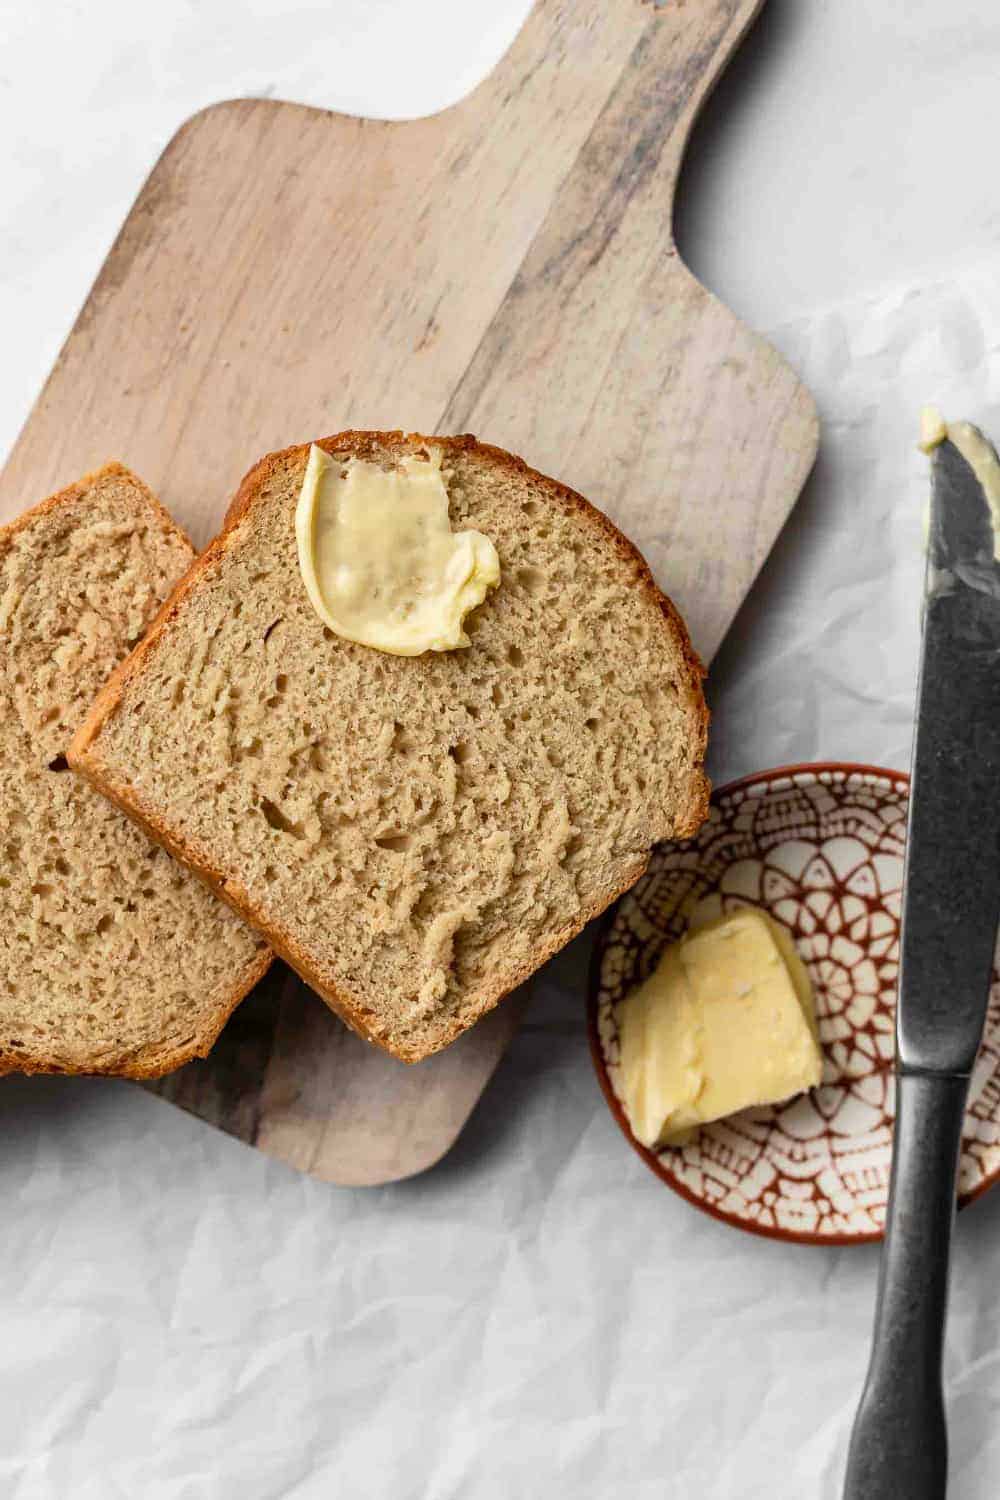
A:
(379, 557)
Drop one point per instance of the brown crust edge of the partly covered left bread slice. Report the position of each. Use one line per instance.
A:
(151, 1063)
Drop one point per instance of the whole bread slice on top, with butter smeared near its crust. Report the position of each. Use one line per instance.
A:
(415, 835)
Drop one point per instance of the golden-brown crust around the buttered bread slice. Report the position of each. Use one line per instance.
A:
(85, 758)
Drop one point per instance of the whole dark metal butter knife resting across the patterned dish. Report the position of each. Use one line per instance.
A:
(950, 925)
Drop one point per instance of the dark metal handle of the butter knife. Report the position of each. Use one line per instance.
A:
(900, 1441)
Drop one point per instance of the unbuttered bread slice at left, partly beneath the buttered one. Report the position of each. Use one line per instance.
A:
(113, 958)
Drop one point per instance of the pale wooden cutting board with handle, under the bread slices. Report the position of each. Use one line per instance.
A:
(506, 268)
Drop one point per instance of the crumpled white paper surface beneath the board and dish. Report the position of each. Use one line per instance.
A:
(539, 1316)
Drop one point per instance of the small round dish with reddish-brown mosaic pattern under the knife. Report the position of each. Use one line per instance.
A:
(821, 850)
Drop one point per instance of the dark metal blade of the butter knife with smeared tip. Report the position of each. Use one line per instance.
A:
(953, 877)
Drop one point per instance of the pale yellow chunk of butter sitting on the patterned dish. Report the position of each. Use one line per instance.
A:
(725, 1022)
